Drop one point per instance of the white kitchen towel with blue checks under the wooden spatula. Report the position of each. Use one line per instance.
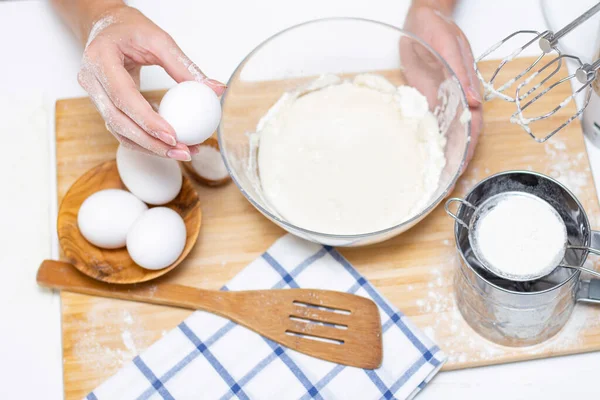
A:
(209, 357)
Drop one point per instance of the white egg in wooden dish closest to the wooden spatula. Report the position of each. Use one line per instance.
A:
(157, 238)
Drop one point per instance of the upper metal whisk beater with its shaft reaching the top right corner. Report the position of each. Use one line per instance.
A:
(547, 42)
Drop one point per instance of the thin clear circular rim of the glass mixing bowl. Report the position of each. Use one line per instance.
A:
(409, 222)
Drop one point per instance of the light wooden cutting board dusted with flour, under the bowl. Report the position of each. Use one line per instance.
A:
(414, 271)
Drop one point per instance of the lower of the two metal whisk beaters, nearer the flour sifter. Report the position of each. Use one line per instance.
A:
(584, 75)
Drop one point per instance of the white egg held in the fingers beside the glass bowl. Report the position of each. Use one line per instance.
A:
(193, 110)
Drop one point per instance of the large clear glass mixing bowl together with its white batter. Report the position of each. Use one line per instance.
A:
(321, 144)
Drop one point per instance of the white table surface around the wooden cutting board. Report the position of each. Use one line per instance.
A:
(38, 53)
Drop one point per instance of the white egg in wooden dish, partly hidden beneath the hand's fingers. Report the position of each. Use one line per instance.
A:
(152, 179)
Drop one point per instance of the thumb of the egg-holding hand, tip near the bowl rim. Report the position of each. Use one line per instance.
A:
(180, 67)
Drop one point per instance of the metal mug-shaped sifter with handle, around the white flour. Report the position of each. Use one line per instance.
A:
(522, 313)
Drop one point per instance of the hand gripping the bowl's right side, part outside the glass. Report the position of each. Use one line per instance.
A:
(430, 20)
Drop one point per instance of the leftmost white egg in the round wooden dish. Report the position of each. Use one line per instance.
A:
(104, 218)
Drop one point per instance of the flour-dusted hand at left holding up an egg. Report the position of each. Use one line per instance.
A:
(118, 43)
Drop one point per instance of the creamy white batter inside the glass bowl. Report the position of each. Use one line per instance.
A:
(350, 156)
